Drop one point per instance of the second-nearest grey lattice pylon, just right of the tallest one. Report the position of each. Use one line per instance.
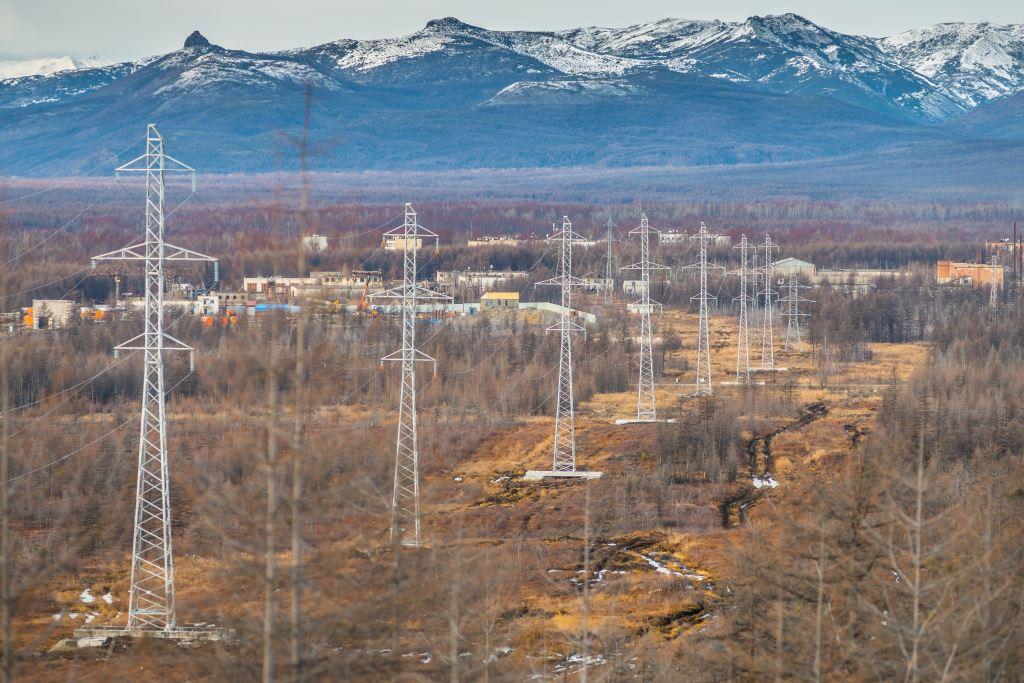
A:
(406, 493)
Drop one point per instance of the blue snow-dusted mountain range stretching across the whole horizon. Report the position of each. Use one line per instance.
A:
(454, 96)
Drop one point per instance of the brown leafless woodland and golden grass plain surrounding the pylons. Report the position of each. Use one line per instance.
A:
(891, 549)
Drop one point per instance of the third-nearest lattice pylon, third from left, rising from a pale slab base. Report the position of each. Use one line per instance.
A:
(565, 449)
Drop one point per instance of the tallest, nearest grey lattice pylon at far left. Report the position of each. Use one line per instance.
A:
(151, 602)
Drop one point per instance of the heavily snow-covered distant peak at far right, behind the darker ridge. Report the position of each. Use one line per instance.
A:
(973, 63)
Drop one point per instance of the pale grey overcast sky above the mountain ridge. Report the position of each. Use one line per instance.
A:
(130, 29)
